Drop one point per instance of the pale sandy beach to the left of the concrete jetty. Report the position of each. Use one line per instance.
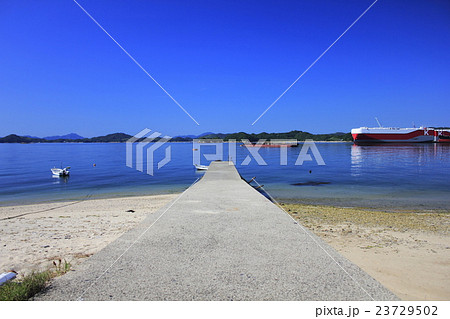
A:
(33, 236)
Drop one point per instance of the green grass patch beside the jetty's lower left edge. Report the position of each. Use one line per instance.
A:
(30, 285)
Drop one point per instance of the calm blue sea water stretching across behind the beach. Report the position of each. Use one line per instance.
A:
(415, 176)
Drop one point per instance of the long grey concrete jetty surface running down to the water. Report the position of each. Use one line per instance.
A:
(219, 240)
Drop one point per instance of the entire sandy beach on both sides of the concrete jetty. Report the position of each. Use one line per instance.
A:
(408, 252)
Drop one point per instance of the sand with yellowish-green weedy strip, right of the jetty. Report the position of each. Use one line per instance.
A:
(408, 252)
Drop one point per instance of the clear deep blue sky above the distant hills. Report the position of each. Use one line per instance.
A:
(225, 62)
